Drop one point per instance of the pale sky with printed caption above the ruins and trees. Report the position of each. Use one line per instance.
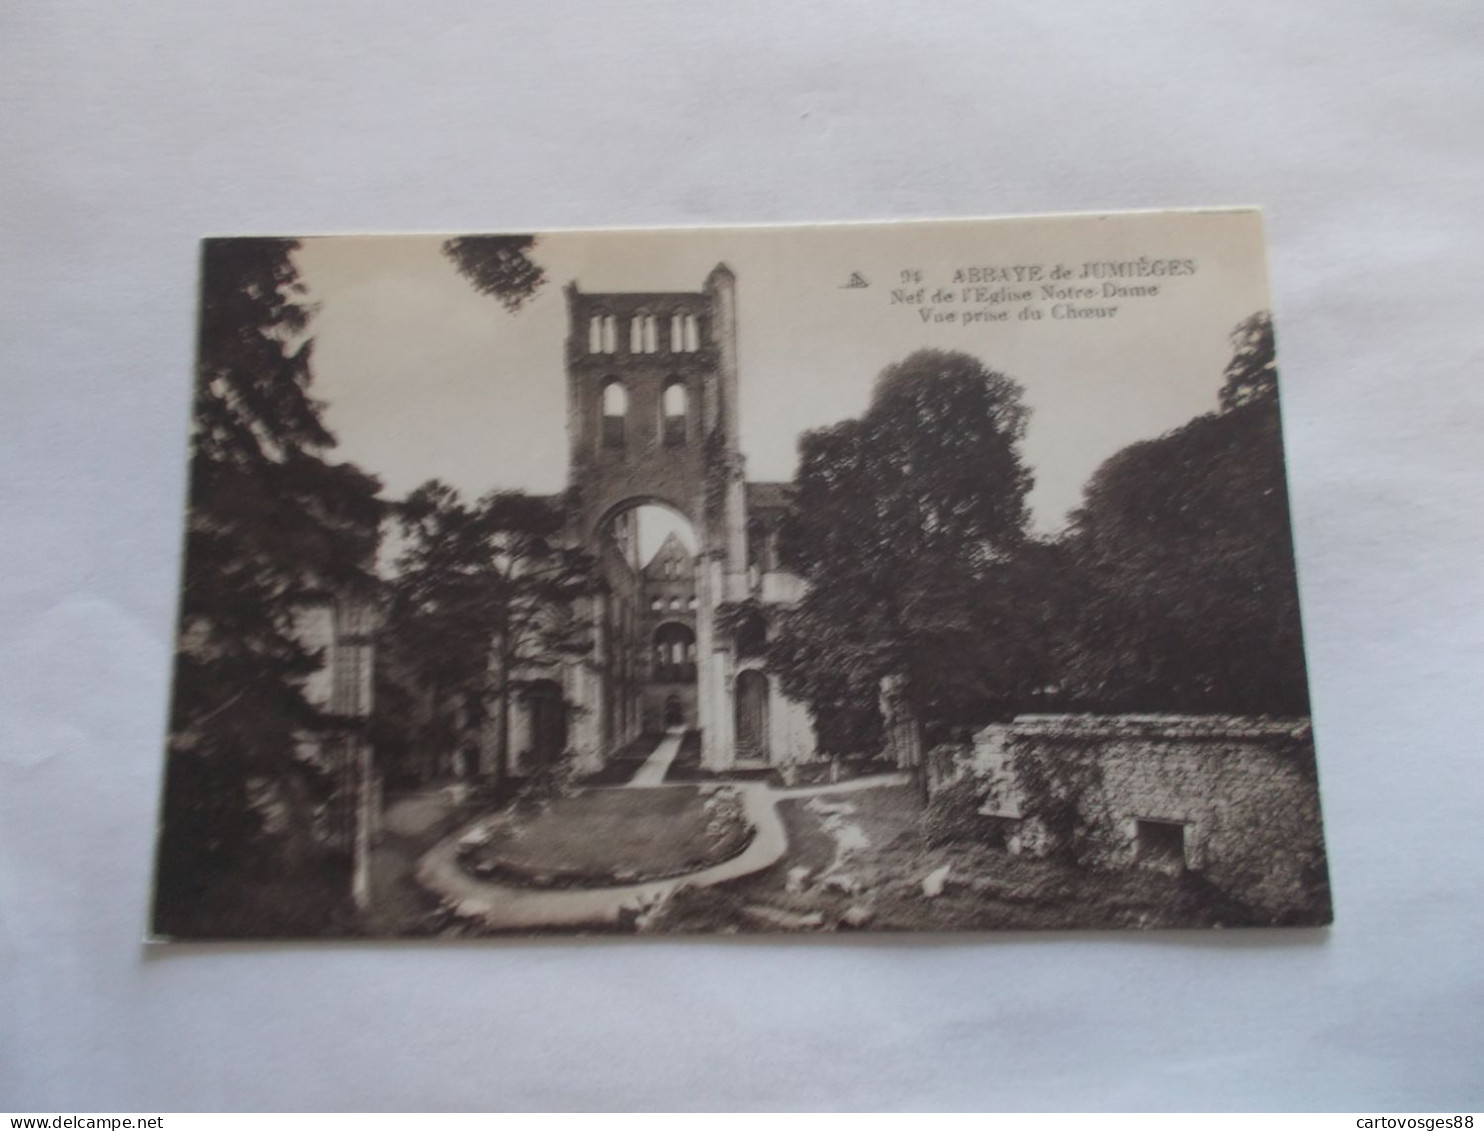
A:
(424, 378)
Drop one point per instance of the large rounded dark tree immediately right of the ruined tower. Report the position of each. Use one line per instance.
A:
(906, 523)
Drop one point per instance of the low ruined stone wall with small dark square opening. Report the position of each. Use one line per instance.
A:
(1232, 799)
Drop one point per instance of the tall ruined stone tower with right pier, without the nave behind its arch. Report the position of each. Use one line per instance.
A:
(652, 418)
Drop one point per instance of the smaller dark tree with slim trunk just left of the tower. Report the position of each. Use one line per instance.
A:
(486, 599)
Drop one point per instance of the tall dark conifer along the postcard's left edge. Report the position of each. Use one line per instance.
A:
(272, 525)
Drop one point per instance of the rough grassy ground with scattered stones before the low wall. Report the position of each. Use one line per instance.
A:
(986, 888)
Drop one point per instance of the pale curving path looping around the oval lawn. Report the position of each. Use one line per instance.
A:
(507, 908)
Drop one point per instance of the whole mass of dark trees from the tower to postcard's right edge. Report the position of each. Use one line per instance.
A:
(1173, 589)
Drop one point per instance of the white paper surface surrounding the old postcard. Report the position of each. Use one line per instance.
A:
(127, 131)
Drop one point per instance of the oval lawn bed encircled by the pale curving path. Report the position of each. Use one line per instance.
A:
(614, 838)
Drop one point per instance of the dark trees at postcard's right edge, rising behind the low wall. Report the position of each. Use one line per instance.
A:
(1185, 577)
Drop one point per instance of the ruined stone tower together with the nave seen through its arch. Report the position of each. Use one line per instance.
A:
(652, 427)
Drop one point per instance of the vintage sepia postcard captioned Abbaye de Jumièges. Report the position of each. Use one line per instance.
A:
(906, 577)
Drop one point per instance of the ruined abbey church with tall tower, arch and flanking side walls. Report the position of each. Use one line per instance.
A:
(652, 421)
